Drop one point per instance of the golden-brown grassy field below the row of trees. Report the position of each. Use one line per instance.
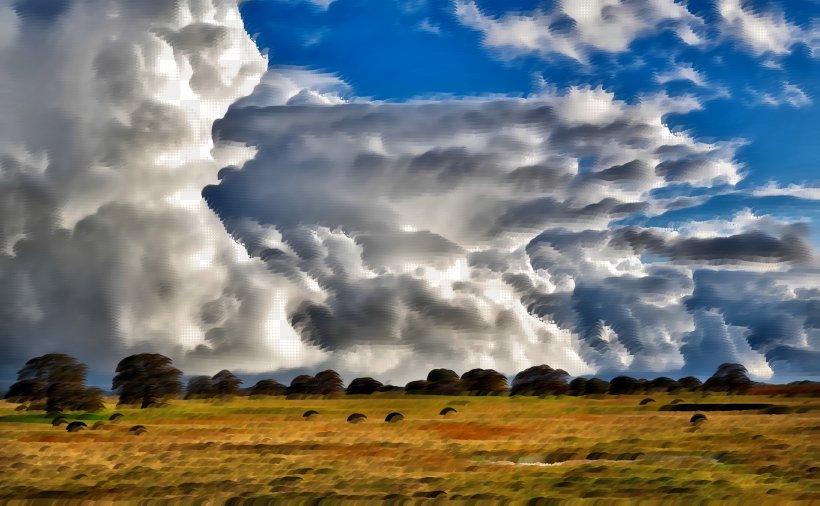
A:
(493, 450)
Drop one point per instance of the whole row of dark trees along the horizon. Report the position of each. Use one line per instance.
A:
(56, 383)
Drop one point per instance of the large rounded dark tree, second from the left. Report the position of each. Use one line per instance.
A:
(146, 379)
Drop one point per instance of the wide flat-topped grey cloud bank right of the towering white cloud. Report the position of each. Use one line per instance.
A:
(474, 234)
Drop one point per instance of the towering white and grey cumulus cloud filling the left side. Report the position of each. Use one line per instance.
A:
(106, 247)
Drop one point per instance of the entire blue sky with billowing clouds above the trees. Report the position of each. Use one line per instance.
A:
(383, 187)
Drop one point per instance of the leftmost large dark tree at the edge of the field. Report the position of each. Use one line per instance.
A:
(60, 380)
